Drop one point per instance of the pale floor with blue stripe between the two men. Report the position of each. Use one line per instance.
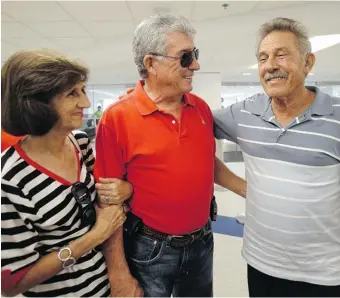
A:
(230, 279)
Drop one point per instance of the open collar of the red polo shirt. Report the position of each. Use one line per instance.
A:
(146, 106)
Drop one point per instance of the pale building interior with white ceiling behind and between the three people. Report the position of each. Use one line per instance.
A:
(99, 34)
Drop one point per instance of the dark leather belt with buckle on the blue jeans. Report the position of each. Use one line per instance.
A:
(174, 240)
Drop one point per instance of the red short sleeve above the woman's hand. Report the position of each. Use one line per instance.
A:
(109, 154)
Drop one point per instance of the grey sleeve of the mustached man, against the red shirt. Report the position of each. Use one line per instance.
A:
(225, 124)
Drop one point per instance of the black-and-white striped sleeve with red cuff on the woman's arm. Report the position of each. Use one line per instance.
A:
(19, 239)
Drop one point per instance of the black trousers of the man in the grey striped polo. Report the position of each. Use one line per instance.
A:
(263, 285)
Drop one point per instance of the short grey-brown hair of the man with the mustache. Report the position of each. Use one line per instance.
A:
(286, 25)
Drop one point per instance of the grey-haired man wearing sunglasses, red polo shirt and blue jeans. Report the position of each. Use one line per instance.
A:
(160, 139)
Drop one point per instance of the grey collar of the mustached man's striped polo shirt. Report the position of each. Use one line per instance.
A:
(321, 106)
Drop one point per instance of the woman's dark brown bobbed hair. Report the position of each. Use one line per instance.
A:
(29, 81)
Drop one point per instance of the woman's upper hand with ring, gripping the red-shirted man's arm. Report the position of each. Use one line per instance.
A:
(113, 191)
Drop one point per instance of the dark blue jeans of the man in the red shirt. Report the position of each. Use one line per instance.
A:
(163, 270)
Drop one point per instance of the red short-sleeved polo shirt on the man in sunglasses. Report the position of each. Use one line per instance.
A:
(170, 163)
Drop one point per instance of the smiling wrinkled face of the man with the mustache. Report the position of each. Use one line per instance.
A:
(282, 68)
